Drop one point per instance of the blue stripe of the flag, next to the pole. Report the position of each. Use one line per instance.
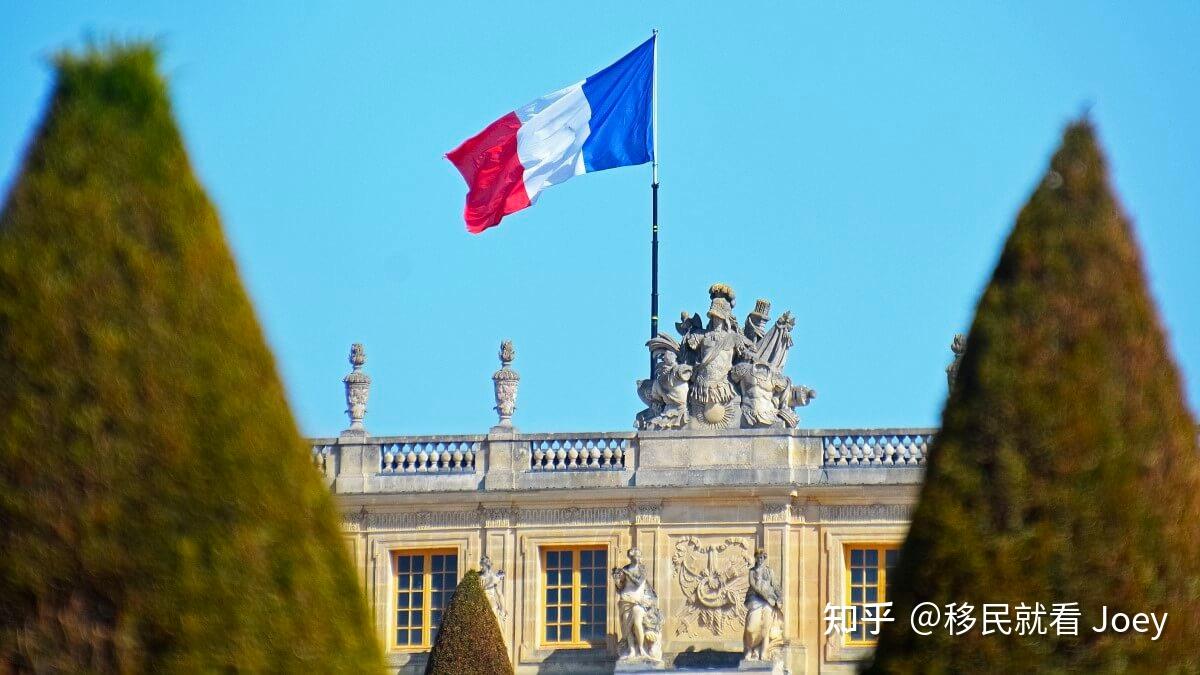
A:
(622, 112)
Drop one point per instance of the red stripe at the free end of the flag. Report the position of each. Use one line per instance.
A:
(495, 177)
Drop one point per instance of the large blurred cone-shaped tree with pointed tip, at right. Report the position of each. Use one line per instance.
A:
(1067, 468)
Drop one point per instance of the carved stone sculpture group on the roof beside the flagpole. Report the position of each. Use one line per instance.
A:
(718, 377)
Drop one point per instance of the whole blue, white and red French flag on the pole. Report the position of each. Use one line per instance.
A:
(601, 123)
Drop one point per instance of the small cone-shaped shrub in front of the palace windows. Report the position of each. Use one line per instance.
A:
(470, 641)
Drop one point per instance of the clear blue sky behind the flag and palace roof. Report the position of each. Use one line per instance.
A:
(860, 165)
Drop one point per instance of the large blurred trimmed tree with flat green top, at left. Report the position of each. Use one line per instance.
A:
(160, 510)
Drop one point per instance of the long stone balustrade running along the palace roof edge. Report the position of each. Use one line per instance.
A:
(511, 461)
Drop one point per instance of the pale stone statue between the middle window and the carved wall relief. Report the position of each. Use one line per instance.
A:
(641, 620)
